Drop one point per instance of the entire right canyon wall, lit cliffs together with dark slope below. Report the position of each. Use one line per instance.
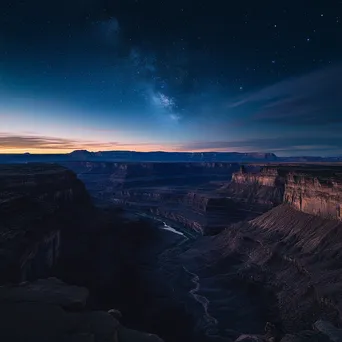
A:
(289, 255)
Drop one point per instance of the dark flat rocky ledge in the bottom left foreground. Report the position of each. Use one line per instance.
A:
(50, 310)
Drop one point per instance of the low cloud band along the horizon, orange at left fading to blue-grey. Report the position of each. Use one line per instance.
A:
(43, 144)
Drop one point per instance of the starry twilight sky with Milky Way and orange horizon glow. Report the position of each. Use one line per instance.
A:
(172, 75)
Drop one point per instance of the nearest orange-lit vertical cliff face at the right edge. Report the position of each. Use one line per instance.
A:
(313, 196)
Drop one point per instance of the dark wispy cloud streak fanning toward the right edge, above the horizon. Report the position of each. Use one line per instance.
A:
(314, 99)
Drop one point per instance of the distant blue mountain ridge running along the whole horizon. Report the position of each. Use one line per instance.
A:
(160, 156)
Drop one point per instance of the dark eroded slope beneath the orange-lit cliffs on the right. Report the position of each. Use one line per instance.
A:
(288, 259)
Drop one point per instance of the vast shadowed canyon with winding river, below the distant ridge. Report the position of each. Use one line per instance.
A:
(187, 251)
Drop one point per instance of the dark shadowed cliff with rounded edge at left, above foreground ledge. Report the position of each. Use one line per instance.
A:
(36, 202)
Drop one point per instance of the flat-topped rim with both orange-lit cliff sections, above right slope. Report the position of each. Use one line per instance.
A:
(312, 189)
